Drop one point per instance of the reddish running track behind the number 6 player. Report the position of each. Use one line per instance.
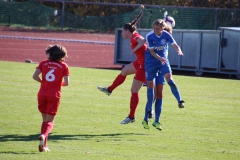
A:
(79, 54)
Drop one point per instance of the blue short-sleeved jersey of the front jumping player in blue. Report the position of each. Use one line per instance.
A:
(159, 44)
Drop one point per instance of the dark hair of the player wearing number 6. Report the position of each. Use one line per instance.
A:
(56, 52)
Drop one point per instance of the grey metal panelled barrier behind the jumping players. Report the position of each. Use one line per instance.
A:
(213, 51)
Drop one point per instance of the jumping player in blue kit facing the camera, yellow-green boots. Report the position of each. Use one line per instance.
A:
(156, 61)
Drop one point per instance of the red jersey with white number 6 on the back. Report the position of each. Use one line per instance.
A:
(52, 76)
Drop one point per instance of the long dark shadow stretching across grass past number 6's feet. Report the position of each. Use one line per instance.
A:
(54, 137)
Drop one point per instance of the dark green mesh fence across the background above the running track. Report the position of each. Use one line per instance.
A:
(35, 15)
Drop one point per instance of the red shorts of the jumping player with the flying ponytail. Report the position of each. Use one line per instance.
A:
(140, 71)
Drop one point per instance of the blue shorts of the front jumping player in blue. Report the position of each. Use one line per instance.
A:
(152, 69)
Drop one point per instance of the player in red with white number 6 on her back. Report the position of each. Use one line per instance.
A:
(53, 70)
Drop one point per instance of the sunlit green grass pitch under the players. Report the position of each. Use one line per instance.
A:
(87, 125)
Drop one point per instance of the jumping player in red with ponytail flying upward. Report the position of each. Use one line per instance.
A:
(139, 47)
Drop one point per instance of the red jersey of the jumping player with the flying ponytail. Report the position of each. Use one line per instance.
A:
(140, 52)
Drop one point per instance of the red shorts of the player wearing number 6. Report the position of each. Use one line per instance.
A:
(48, 104)
